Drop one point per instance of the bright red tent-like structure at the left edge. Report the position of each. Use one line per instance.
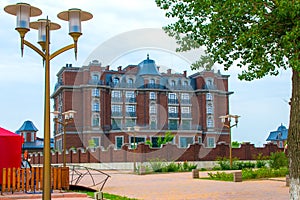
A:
(10, 150)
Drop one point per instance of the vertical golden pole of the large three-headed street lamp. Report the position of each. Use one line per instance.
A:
(47, 159)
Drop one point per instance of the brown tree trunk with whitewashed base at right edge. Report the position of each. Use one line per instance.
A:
(294, 138)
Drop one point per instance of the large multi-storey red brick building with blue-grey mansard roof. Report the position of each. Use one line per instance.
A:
(111, 103)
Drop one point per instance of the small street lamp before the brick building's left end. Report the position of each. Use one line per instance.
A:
(67, 119)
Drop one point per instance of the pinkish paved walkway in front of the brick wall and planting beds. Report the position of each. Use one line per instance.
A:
(181, 186)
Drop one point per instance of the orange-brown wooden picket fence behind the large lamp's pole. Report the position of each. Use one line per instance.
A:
(31, 180)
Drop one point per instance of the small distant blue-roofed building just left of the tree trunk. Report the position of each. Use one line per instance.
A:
(278, 137)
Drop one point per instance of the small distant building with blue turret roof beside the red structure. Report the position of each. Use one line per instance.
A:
(32, 143)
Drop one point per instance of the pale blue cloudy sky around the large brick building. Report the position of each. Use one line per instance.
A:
(262, 104)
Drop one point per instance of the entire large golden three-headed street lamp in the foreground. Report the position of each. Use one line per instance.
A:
(24, 11)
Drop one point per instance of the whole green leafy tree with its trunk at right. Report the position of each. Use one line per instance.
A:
(259, 36)
